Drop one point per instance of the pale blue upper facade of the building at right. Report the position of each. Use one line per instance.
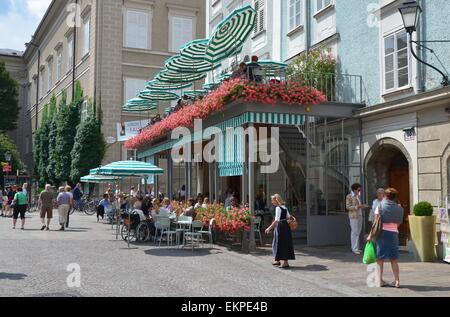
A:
(359, 29)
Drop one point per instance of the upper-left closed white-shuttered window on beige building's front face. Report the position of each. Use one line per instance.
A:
(137, 29)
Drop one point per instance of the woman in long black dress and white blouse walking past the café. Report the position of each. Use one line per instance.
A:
(282, 245)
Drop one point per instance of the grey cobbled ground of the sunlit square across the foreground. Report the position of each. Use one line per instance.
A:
(34, 263)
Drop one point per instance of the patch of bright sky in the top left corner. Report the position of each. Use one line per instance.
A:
(19, 20)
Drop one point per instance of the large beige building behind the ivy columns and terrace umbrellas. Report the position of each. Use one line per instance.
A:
(112, 47)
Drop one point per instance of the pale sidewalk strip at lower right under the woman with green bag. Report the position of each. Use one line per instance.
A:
(339, 265)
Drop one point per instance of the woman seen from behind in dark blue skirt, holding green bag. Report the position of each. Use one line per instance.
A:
(391, 214)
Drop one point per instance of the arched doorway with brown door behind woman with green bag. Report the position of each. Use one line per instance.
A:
(388, 165)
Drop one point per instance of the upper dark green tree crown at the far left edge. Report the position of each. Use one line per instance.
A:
(9, 103)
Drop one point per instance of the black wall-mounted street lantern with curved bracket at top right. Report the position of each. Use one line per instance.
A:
(410, 12)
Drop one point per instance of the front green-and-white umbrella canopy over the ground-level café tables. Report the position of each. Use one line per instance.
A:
(128, 168)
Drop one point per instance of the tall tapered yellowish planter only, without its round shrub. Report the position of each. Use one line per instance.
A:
(423, 235)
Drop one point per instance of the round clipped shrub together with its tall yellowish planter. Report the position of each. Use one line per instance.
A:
(423, 231)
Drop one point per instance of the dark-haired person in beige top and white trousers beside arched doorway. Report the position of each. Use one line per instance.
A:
(354, 208)
